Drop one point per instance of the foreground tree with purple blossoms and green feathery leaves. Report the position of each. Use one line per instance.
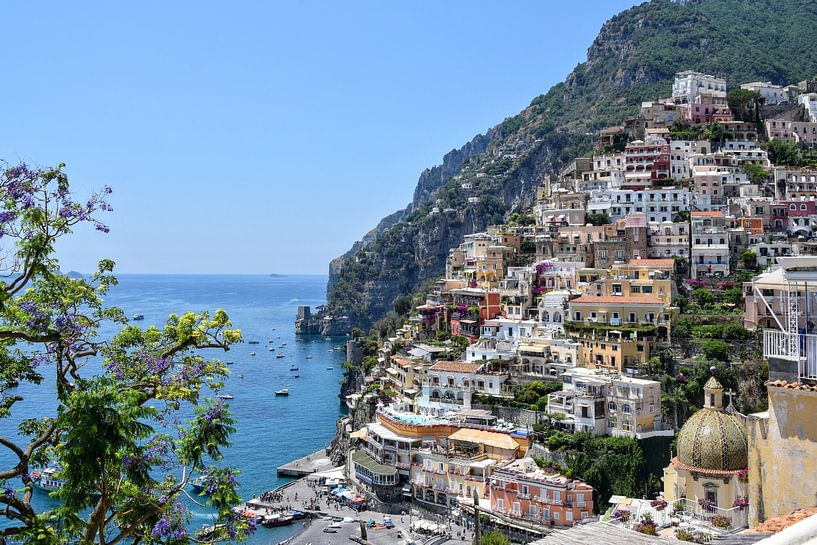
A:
(122, 453)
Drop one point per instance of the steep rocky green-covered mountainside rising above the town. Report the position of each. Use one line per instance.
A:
(634, 58)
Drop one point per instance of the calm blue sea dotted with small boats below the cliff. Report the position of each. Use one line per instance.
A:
(270, 430)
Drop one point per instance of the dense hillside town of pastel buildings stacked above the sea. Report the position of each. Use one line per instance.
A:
(657, 299)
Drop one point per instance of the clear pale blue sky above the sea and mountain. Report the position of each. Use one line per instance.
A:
(257, 137)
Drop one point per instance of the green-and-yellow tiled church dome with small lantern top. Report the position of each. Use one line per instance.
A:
(713, 439)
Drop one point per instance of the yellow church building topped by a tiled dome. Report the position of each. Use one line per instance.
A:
(712, 455)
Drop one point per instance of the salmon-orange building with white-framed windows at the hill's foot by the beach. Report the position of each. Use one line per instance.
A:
(521, 489)
